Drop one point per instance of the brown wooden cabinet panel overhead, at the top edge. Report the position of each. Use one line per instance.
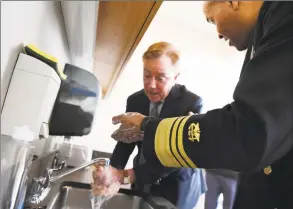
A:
(121, 25)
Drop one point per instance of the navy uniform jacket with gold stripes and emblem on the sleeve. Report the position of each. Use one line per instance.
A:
(253, 134)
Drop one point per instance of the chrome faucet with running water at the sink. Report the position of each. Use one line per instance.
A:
(41, 186)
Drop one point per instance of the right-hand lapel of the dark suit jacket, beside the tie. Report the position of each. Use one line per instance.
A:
(170, 105)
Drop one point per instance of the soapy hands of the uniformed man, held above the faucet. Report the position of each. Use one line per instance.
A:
(129, 130)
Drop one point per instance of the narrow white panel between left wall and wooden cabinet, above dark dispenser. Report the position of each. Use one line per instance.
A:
(81, 26)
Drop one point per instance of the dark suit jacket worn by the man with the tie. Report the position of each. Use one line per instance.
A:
(180, 101)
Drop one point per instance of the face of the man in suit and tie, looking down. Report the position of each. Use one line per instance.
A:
(158, 78)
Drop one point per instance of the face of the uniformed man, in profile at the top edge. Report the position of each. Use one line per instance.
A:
(234, 22)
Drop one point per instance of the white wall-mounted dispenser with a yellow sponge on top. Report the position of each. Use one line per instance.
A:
(31, 96)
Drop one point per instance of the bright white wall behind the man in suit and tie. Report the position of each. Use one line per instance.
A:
(210, 67)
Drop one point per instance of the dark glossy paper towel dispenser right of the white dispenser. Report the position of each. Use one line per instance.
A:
(76, 102)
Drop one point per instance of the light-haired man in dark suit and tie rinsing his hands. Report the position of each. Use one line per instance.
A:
(161, 97)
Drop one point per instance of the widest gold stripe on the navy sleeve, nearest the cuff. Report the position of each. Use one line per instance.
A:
(162, 145)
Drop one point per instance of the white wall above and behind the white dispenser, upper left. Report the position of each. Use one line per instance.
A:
(30, 22)
